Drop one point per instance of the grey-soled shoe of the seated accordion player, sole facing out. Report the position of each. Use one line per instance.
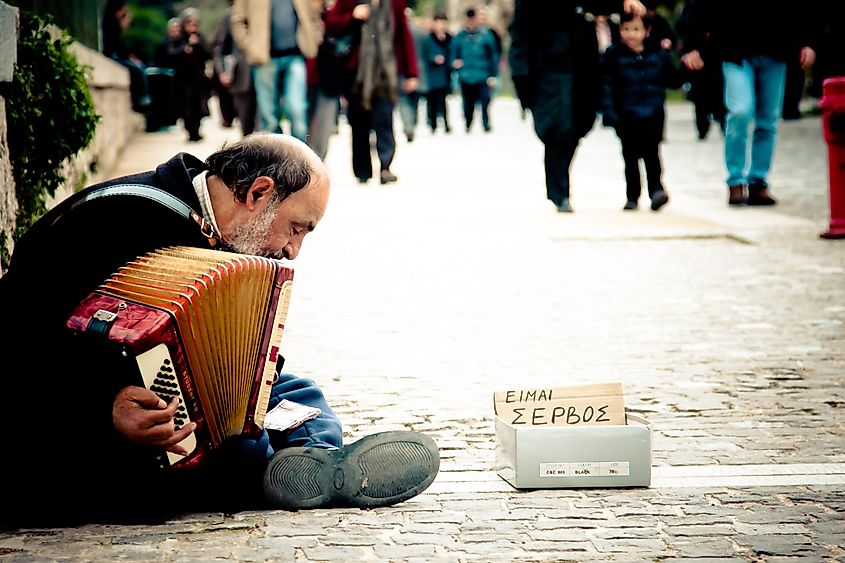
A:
(378, 470)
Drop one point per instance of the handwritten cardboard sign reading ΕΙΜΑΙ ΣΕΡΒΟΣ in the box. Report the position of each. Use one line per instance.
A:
(562, 406)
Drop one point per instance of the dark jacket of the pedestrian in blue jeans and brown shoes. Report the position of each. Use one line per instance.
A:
(748, 28)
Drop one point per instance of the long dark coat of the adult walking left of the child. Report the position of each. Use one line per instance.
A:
(554, 60)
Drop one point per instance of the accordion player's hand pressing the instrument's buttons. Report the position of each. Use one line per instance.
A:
(144, 418)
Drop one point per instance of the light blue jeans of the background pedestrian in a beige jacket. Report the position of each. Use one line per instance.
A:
(289, 74)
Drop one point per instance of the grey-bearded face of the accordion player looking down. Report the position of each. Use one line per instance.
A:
(277, 229)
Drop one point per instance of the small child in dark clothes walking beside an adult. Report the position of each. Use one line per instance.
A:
(636, 75)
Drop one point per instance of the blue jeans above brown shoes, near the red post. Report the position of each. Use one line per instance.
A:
(753, 91)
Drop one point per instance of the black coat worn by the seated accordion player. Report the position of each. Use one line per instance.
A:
(56, 419)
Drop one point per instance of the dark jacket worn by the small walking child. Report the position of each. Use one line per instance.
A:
(634, 84)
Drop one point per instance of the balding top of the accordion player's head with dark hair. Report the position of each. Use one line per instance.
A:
(289, 162)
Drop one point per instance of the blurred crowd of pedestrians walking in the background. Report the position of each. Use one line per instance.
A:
(300, 66)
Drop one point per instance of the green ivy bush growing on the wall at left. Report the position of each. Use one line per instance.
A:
(50, 115)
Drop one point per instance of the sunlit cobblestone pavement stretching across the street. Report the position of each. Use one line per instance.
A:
(415, 301)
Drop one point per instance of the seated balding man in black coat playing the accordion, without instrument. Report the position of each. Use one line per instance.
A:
(82, 440)
